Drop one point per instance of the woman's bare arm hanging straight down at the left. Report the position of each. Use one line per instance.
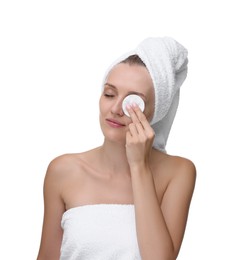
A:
(53, 209)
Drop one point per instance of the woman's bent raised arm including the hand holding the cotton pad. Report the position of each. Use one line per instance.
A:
(160, 228)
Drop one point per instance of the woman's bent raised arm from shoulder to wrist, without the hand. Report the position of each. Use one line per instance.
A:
(161, 227)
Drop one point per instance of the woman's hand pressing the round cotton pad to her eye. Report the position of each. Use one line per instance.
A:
(139, 138)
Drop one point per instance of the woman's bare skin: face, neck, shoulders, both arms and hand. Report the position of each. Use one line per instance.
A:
(159, 185)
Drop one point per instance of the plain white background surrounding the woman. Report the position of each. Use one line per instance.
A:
(53, 55)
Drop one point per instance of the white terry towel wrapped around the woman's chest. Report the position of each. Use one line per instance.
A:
(100, 232)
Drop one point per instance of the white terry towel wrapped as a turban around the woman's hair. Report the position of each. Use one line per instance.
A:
(166, 61)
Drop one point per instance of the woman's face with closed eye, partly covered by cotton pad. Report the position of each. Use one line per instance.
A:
(123, 80)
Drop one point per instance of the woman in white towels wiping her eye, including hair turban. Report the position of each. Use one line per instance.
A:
(127, 199)
